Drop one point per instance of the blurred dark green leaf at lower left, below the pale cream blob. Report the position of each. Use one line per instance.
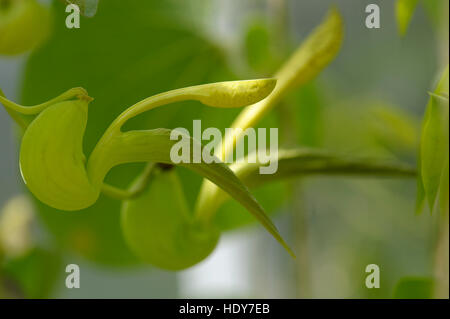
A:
(36, 272)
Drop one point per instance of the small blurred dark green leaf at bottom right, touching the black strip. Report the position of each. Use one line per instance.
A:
(414, 288)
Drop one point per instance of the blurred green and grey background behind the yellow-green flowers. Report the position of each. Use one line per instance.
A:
(368, 102)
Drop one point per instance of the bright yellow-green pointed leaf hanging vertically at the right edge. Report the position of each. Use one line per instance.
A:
(434, 141)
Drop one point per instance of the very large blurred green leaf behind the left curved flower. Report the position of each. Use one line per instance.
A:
(118, 70)
